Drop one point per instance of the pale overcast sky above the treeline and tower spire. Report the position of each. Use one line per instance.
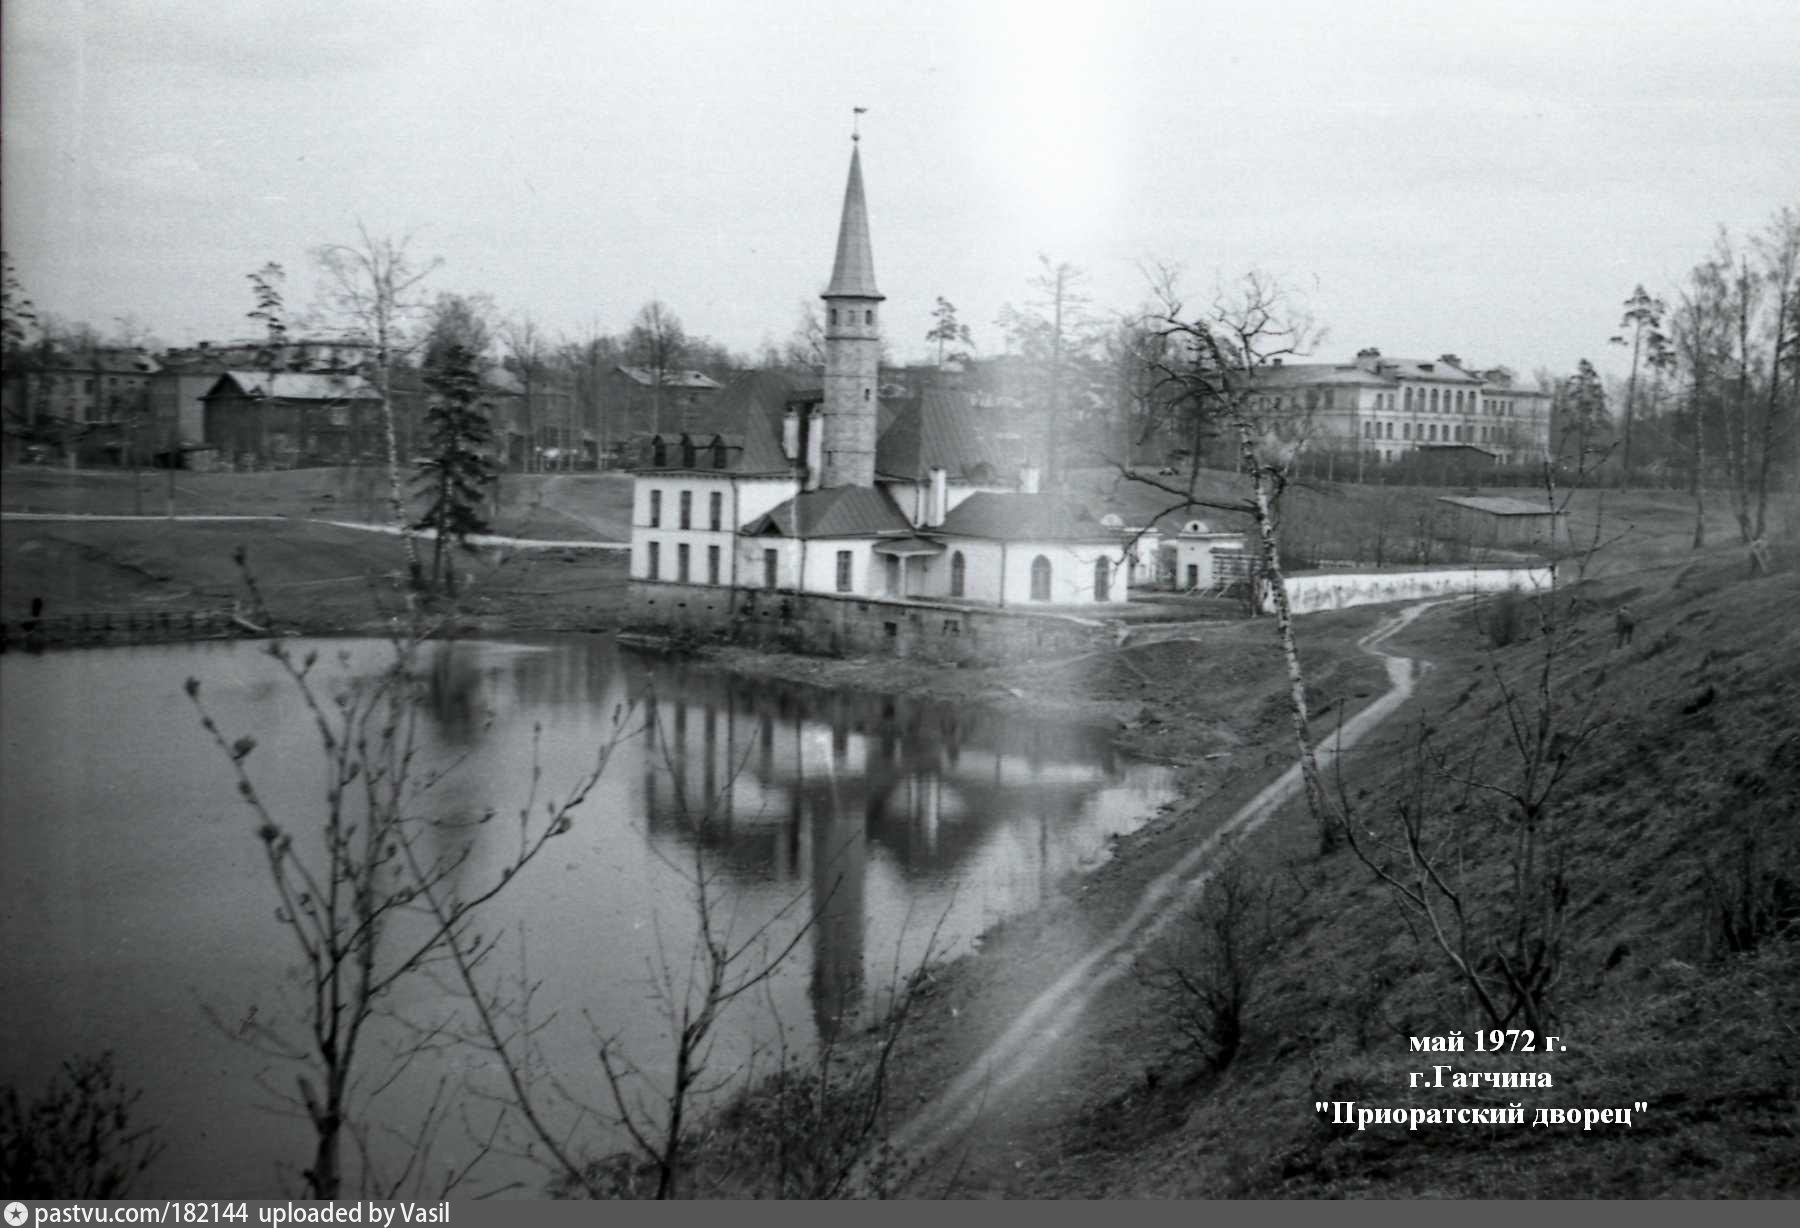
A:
(1432, 177)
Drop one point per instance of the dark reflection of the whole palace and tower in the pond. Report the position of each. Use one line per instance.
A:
(800, 786)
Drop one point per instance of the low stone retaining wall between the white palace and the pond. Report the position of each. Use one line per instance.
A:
(849, 628)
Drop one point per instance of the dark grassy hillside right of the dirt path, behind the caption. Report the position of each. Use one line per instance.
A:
(1678, 826)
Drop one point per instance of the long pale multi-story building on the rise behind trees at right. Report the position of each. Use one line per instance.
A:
(1392, 408)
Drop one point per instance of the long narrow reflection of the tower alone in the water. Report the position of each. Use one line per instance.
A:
(838, 836)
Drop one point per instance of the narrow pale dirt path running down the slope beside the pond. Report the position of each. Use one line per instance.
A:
(982, 1090)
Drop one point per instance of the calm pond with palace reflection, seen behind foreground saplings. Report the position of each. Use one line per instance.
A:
(138, 912)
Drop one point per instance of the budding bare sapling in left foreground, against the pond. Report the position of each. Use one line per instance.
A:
(354, 903)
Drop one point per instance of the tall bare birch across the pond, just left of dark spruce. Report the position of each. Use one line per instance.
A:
(375, 285)
